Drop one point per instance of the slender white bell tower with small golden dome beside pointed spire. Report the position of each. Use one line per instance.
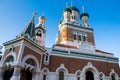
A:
(40, 31)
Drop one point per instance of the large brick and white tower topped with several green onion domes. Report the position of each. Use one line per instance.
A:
(72, 34)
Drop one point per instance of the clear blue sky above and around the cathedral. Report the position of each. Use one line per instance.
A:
(104, 19)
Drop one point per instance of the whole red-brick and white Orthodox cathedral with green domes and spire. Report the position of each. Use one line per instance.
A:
(72, 57)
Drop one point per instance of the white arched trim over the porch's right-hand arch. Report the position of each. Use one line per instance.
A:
(32, 57)
